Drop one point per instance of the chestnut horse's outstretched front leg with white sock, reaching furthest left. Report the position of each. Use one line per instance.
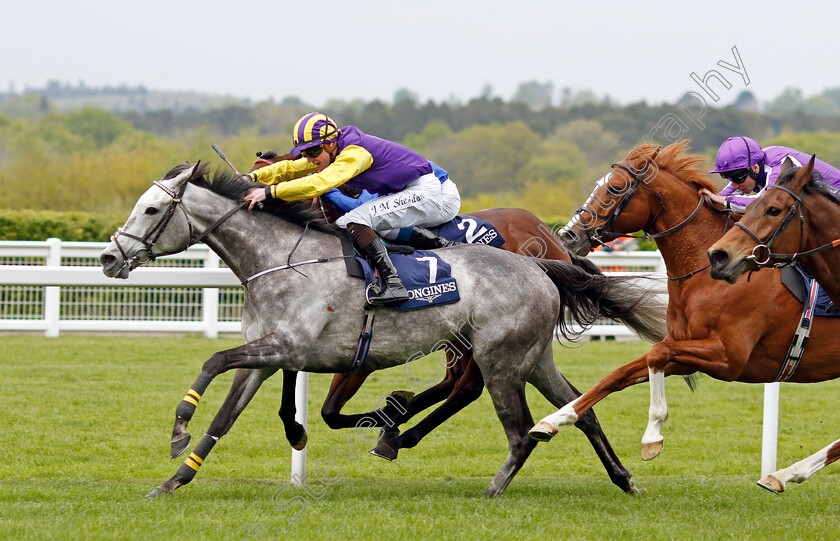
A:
(621, 378)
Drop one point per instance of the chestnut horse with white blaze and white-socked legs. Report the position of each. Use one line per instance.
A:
(711, 329)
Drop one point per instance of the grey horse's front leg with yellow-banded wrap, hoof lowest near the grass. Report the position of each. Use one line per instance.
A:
(245, 385)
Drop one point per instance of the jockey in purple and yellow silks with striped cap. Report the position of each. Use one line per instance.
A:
(409, 193)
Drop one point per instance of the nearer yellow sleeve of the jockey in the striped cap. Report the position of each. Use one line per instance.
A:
(350, 162)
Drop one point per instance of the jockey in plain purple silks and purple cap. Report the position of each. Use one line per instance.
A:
(750, 169)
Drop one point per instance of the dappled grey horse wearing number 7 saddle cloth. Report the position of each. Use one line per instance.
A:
(305, 320)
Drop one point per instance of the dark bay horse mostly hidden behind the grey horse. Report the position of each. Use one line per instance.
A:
(462, 384)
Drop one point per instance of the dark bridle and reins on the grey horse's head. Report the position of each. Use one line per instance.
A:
(147, 253)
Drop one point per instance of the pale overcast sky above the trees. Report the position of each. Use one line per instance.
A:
(438, 49)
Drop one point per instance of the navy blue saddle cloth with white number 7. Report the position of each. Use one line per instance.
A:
(426, 276)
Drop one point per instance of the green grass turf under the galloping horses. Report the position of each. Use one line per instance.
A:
(88, 418)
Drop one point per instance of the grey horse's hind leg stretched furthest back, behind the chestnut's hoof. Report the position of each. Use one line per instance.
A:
(559, 391)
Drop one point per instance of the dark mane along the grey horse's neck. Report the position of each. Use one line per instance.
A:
(229, 185)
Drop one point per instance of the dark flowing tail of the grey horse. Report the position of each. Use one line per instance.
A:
(587, 295)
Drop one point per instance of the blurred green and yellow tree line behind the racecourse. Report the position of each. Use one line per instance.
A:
(499, 153)
